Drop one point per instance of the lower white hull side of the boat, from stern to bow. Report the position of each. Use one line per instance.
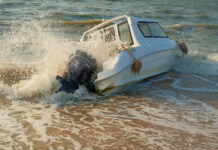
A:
(152, 64)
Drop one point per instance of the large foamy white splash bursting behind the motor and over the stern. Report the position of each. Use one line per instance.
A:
(33, 56)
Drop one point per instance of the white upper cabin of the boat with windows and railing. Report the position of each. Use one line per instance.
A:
(128, 29)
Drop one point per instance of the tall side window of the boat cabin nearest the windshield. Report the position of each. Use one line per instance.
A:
(124, 32)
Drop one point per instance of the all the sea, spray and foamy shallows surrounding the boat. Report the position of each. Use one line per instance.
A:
(175, 110)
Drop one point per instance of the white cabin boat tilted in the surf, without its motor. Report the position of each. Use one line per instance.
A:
(148, 43)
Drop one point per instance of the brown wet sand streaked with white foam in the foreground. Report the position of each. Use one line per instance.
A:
(118, 122)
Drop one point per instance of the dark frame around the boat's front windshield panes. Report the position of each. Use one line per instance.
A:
(147, 24)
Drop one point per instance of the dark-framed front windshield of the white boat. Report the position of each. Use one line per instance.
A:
(151, 29)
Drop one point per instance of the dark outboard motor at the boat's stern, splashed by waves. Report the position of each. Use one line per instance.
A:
(81, 70)
